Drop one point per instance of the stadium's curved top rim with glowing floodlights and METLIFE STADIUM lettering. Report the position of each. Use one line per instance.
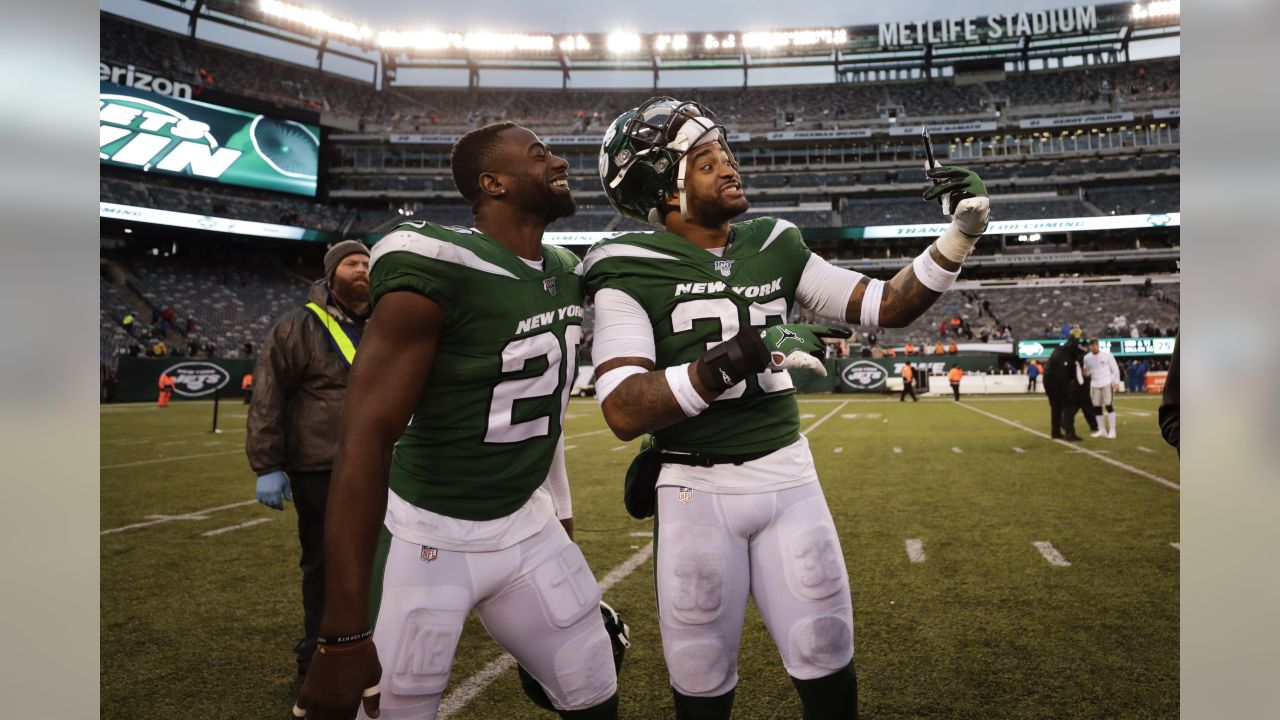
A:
(964, 43)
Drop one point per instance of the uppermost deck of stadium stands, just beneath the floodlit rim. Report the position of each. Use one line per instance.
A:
(418, 110)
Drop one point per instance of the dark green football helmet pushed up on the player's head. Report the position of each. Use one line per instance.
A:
(643, 156)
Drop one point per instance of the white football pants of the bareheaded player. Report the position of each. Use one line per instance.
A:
(538, 599)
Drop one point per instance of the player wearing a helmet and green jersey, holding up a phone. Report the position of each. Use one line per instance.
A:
(691, 341)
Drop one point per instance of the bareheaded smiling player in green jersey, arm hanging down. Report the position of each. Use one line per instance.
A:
(452, 452)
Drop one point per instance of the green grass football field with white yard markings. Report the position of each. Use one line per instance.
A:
(202, 605)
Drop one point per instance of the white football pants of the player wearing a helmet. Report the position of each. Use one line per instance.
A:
(781, 549)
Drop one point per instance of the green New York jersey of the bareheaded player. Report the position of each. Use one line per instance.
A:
(486, 427)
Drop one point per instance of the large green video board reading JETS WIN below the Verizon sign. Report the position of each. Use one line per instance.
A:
(175, 136)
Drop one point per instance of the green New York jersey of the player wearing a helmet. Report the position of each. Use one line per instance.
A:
(697, 300)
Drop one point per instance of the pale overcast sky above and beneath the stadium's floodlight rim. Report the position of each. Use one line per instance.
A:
(597, 16)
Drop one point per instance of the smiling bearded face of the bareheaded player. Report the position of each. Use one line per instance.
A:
(537, 180)
